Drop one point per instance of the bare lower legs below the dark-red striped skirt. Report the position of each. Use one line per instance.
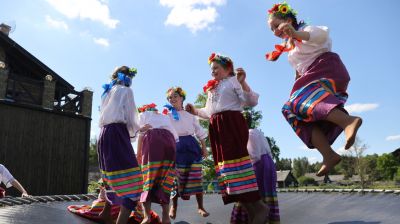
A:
(257, 211)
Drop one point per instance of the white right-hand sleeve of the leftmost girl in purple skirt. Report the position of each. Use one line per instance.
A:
(131, 113)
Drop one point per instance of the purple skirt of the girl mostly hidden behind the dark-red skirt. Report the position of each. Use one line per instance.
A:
(266, 180)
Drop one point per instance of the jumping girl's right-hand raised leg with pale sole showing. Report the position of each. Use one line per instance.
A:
(350, 124)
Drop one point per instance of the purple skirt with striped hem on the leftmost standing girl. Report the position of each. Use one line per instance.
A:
(118, 164)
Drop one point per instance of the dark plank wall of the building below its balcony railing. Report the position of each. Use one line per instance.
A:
(46, 151)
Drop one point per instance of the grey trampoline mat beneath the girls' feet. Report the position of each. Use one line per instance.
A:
(295, 207)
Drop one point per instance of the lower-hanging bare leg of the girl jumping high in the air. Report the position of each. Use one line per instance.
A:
(330, 157)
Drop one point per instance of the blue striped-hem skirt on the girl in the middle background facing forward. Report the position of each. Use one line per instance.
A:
(188, 166)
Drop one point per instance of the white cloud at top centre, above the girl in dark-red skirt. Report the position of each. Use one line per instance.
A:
(194, 14)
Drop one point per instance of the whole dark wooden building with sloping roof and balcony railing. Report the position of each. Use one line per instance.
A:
(44, 124)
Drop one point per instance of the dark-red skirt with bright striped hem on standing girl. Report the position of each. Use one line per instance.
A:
(229, 134)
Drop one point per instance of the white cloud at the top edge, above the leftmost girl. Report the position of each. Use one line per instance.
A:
(85, 9)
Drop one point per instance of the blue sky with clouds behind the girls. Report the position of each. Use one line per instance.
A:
(169, 41)
